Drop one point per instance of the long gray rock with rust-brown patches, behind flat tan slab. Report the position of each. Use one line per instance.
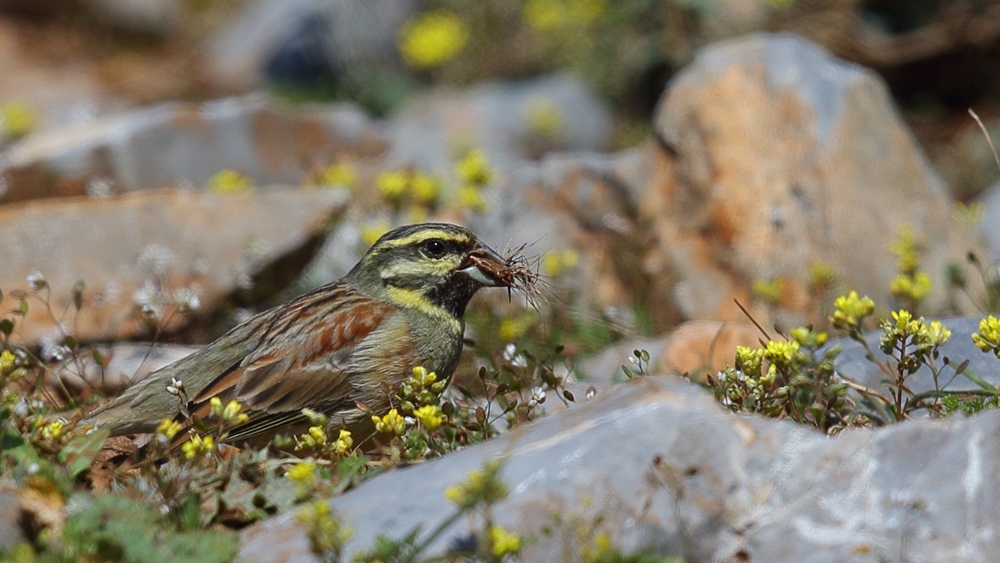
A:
(185, 145)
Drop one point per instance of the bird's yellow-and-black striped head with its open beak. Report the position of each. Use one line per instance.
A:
(432, 267)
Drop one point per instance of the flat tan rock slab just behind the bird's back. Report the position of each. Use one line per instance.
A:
(147, 247)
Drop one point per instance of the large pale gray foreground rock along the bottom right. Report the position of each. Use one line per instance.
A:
(656, 464)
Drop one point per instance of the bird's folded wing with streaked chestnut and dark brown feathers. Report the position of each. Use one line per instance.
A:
(304, 360)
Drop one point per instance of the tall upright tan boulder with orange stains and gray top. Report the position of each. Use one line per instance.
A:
(774, 154)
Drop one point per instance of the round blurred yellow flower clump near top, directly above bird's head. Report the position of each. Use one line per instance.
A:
(432, 38)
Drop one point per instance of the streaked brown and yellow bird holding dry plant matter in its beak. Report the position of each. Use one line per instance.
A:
(340, 349)
